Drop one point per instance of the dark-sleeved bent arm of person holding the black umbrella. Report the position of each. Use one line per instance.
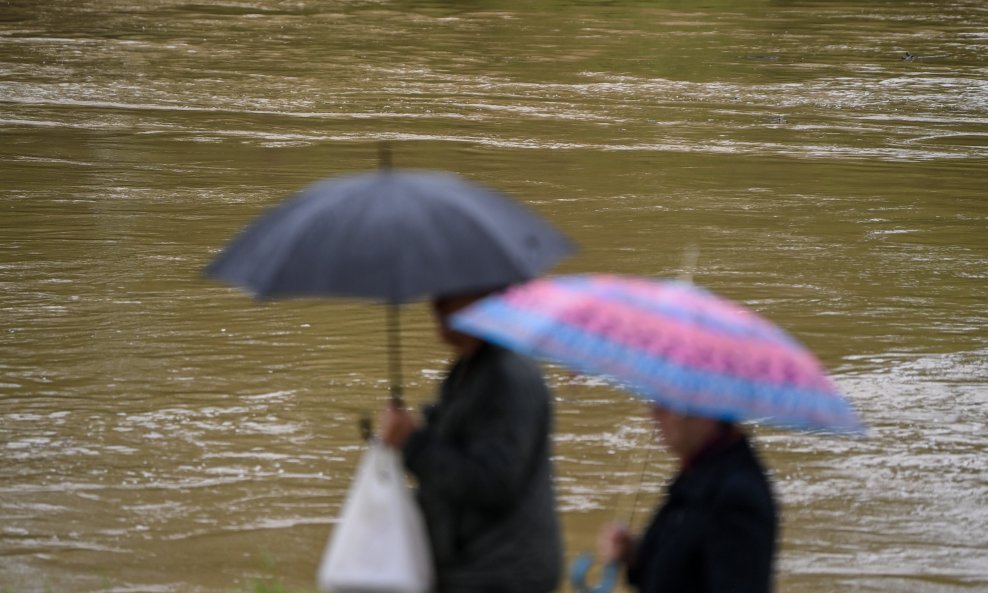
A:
(493, 464)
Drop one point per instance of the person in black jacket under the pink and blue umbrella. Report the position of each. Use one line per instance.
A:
(716, 530)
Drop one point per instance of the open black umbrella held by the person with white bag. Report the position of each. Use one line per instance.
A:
(392, 236)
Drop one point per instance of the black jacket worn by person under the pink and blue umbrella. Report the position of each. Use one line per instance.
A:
(715, 532)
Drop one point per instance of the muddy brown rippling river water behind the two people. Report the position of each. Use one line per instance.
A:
(827, 161)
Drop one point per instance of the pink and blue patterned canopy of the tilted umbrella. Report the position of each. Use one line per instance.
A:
(669, 342)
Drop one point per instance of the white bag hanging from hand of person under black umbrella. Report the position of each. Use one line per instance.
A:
(379, 544)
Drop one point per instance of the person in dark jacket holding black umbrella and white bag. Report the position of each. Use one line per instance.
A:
(482, 462)
